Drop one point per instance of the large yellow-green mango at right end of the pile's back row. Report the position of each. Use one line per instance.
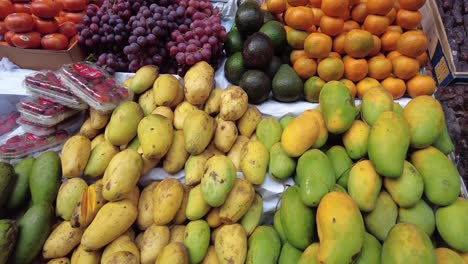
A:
(425, 118)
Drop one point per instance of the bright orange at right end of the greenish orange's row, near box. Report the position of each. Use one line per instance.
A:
(412, 43)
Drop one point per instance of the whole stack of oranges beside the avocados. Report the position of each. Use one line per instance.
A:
(364, 43)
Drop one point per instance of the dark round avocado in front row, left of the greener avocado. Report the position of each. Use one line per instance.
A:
(257, 85)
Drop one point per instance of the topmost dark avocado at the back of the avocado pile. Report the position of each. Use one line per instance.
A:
(249, 17)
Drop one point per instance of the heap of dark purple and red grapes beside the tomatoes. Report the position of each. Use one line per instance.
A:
(172, 34)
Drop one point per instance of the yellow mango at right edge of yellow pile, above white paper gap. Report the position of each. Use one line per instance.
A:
(254, 161)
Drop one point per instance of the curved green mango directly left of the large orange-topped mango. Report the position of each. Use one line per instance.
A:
(297, 219)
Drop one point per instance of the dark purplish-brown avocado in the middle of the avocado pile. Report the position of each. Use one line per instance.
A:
(257, 51)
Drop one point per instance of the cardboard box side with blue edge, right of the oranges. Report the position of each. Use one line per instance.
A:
(444, 70)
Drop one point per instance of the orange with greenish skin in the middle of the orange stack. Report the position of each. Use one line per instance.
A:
(358, 43)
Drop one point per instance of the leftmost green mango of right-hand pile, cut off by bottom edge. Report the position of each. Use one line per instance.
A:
(264, 246)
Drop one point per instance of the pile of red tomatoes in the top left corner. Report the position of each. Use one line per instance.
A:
(47, 24)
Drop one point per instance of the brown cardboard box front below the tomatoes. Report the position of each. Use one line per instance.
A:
(39, 59)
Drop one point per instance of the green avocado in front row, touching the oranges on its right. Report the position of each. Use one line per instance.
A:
(286, 85)
